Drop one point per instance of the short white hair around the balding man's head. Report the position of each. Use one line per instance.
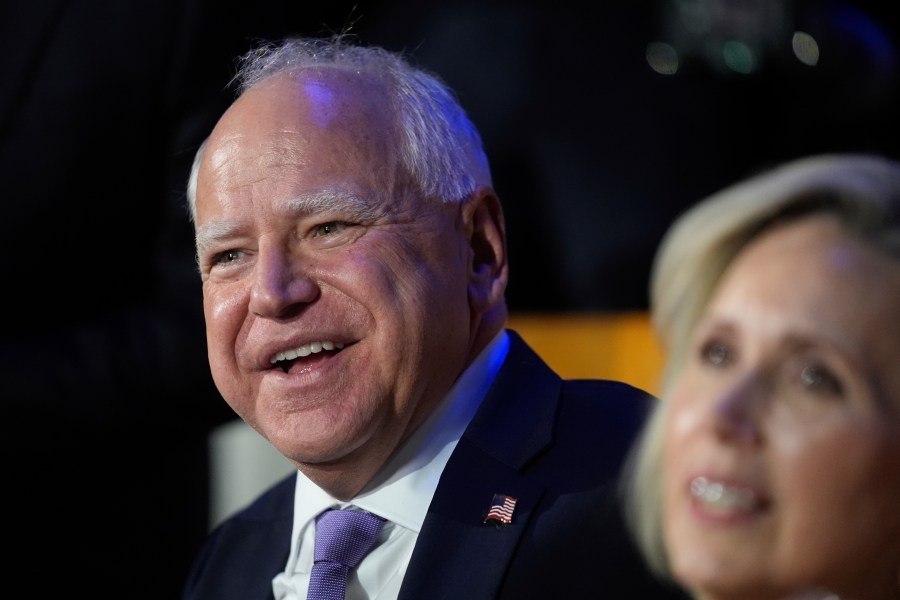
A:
(439, 146)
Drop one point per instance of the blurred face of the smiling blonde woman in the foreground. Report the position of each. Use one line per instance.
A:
(782, 440)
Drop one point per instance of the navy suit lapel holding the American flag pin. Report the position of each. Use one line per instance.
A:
(457, 555)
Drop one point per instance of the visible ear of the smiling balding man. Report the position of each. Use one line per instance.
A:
(484, 222)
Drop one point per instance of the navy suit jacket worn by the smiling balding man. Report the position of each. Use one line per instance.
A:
(556, 446)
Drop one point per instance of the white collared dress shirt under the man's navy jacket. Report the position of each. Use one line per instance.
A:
(401, 492)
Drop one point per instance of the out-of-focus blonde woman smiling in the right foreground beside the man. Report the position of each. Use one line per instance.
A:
(771, 469)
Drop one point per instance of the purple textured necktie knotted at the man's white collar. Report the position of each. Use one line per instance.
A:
(343, 537)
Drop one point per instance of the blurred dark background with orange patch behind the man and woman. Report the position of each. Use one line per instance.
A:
(602, 124)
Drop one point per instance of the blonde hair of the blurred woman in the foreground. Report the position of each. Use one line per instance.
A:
(862, 193)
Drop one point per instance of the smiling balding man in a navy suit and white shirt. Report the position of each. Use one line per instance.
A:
(353, 257)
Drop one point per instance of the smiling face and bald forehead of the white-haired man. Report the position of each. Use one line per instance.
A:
(335, 297)
